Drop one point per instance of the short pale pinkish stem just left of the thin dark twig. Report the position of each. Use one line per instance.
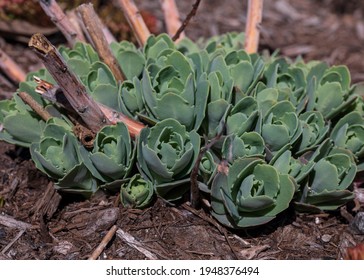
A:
(171, 17)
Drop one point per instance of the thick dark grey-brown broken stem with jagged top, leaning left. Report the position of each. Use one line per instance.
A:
(74, 91)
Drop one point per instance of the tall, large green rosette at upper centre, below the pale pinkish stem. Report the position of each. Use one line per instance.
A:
(169, 86)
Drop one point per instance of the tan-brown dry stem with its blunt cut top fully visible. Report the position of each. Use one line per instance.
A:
(93, 28)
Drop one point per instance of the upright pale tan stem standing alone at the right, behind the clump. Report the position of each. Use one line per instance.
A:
(252, 30)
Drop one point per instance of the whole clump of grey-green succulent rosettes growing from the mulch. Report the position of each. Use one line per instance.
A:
(280, 132)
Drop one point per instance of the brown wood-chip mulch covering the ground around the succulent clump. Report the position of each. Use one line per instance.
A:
(37, 223)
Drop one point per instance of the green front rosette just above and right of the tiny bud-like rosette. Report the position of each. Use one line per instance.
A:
(166, 155)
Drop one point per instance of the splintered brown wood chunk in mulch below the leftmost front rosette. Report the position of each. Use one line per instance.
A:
(47, 205)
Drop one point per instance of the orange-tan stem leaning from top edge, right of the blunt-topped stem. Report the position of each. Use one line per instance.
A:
(135, 20)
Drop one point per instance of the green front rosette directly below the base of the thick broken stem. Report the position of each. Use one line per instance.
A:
(113, 153)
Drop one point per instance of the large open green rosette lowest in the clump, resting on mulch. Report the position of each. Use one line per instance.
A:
(251, 194)
